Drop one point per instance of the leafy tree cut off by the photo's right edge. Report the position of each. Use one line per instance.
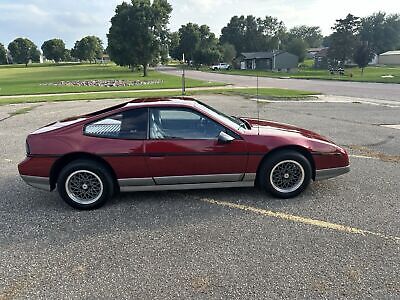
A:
(381, 31)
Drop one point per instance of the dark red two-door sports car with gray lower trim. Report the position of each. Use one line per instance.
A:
(173, 144)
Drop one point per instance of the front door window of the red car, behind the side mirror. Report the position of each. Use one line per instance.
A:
(172, 123)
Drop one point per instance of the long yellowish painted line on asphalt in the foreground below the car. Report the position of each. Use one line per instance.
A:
(303, 220)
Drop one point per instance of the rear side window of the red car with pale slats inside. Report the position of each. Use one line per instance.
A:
(130, 124)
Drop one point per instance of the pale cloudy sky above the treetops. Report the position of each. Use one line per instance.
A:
(70, 20)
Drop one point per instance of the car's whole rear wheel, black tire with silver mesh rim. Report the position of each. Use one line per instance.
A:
(96, 180)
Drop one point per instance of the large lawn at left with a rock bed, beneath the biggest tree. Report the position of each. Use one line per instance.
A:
(18, 80)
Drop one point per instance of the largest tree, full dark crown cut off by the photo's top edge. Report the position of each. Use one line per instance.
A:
(138, 32)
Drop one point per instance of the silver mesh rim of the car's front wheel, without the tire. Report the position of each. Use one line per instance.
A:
(287, 176)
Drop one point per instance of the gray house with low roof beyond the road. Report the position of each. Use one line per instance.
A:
(269, 61)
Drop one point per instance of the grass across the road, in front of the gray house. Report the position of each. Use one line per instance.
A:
(371, 74)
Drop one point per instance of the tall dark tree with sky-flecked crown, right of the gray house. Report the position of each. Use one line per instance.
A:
(344, 38)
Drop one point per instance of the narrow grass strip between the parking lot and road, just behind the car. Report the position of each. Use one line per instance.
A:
(263, 93)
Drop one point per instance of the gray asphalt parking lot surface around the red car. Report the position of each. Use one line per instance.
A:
(338, 240)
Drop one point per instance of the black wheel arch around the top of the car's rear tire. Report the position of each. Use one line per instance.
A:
(61, 162)
